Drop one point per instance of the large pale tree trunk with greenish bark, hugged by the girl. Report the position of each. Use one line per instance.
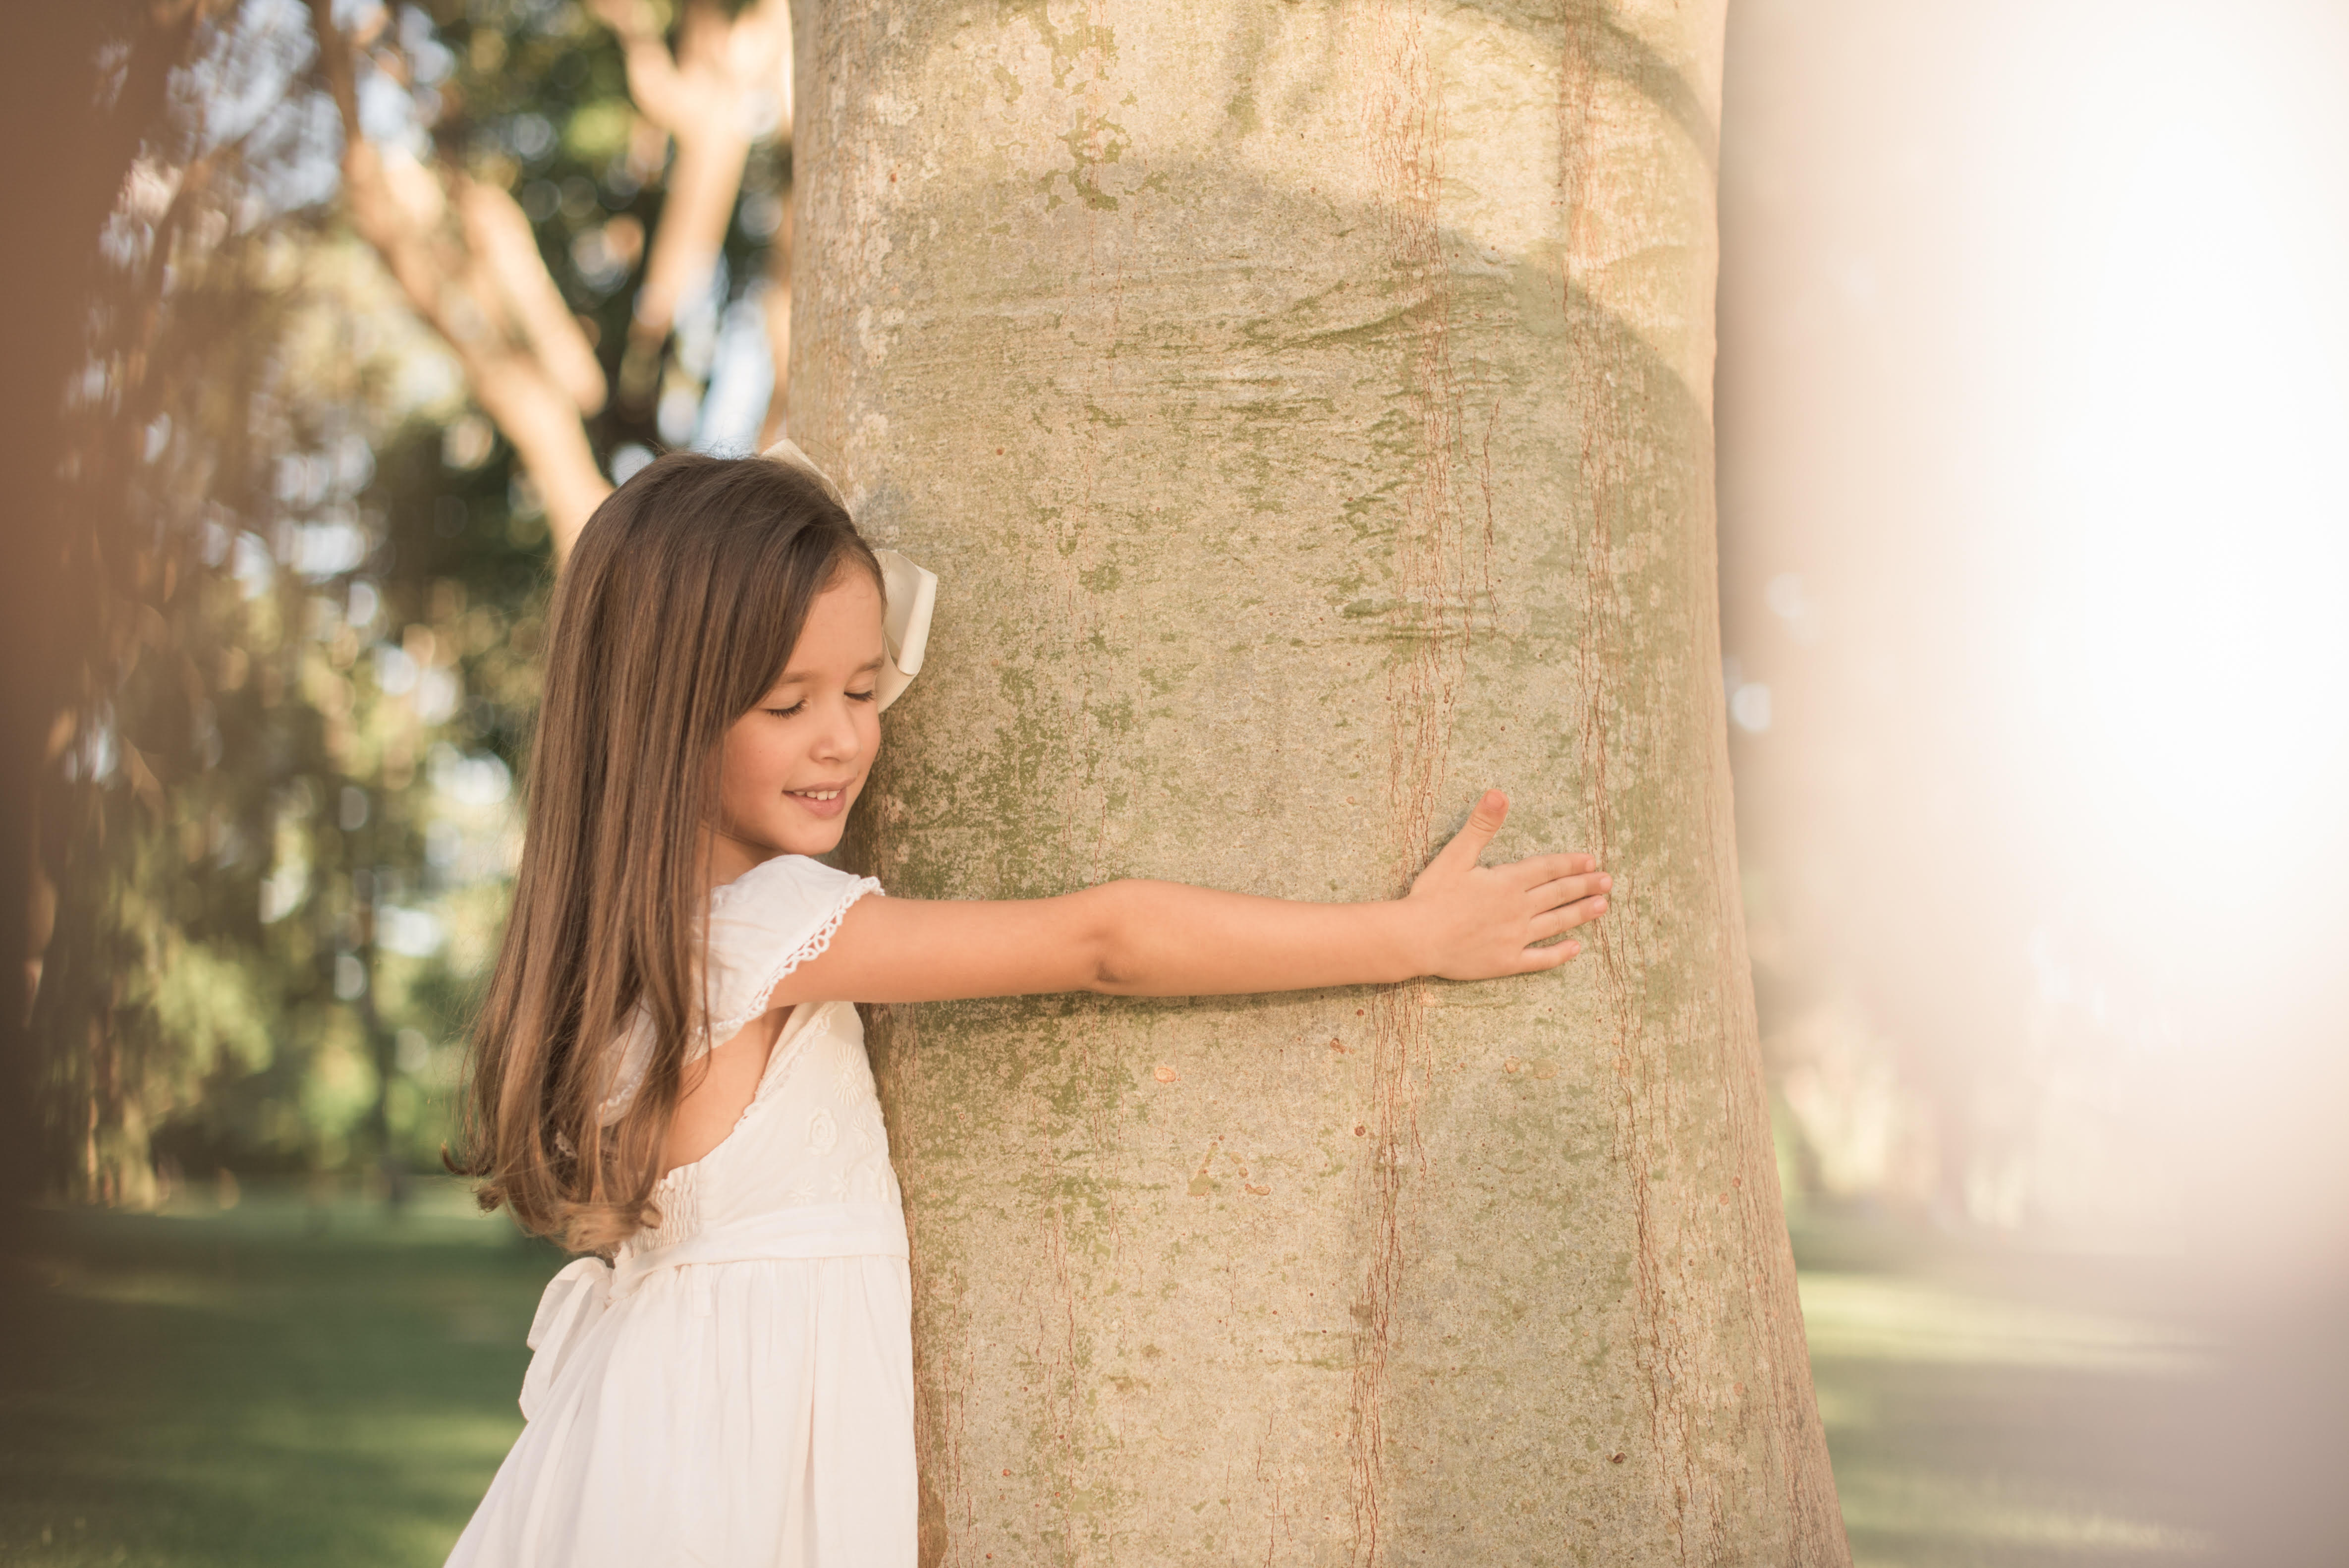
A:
(1310, 414)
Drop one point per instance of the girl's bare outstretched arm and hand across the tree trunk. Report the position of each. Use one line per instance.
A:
(1460, 921)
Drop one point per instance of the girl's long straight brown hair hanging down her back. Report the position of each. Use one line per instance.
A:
(675, 614)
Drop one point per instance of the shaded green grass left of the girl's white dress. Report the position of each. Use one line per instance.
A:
(278, 1384)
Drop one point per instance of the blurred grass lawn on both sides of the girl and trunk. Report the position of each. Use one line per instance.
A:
(323, 1384)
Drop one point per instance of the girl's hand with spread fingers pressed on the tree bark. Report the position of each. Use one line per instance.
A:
(1483, 921)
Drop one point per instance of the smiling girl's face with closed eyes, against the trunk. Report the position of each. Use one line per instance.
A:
(797, 762)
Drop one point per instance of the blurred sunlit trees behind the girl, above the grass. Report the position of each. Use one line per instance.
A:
(386, 302)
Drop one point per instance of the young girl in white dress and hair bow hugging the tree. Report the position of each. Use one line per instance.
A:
(671, 1074)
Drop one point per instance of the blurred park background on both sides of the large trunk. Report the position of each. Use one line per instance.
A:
(2035, 546)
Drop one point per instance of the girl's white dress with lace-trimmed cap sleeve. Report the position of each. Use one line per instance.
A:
(739, 1384)
